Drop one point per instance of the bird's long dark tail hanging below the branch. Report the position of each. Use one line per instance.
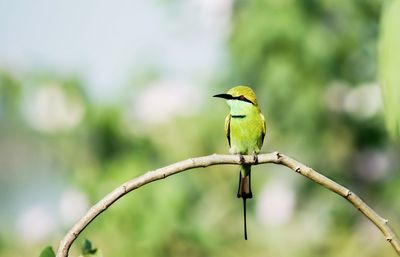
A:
(244, 190)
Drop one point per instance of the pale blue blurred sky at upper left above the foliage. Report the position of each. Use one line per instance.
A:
(106, 42)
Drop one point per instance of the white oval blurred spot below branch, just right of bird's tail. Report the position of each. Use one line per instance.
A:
(275, 205)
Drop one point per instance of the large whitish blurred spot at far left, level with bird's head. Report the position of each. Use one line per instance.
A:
(50, 109)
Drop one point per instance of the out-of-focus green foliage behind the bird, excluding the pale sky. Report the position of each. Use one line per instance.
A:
(313, 66)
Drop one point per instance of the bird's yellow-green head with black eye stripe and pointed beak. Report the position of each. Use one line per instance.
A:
(239, 98)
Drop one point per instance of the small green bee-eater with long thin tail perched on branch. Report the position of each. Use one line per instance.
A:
(245, 130)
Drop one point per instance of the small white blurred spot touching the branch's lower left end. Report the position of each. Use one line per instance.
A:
(73, 205)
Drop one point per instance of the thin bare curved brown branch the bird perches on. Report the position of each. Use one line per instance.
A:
(215, 159)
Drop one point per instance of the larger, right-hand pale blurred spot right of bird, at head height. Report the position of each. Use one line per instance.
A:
(363, 101)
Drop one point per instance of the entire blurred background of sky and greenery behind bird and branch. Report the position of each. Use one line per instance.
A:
(94, 93)
